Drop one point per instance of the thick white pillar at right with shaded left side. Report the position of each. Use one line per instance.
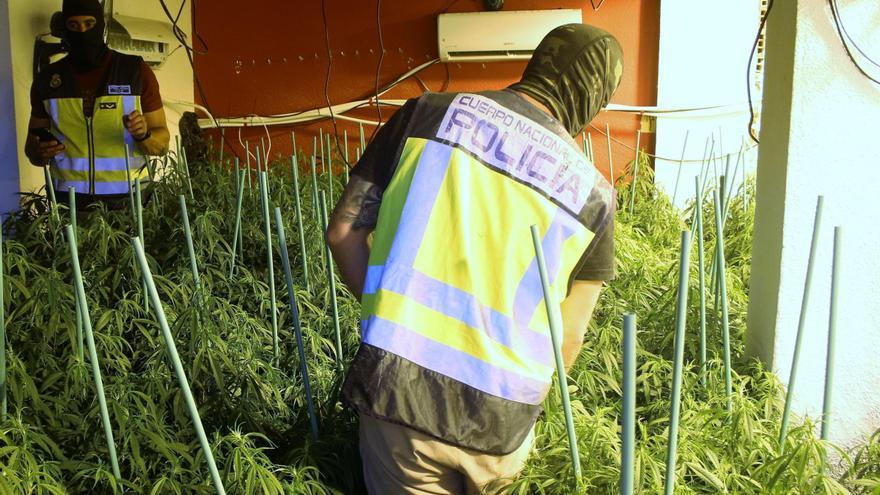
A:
(819, 137)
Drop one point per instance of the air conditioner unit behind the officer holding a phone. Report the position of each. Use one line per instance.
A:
(147, 38)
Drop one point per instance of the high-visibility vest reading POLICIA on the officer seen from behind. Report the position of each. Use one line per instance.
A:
(452, 285)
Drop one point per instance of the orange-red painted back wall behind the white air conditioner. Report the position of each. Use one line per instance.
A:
(269, 57)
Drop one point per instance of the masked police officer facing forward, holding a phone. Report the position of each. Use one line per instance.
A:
(90, 108)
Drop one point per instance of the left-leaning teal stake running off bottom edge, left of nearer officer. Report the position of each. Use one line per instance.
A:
(171, 348)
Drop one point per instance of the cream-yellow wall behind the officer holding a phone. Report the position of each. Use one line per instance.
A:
(30, 18)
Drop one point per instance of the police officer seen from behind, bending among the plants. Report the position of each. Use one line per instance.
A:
(456, 356)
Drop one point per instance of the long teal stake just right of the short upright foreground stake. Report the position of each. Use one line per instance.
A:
(678, 360)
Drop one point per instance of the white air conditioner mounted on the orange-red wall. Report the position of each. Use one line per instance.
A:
(495, 36)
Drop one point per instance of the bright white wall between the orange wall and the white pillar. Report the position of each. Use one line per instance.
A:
(704, 50)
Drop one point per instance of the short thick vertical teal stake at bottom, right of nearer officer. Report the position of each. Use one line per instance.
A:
(628, 432)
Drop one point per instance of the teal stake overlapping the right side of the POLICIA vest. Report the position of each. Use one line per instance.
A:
(555, 321)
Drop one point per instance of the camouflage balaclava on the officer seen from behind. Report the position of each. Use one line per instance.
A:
(573, 72)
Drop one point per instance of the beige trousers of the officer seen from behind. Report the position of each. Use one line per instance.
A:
(399, 460)
